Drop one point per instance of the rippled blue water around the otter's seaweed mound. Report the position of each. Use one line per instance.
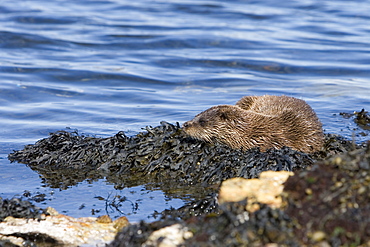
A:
(105, 66)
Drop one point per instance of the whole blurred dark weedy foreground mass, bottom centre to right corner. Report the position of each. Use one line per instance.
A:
(327, 205)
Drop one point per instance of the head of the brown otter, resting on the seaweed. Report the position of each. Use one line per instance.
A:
(216, 124)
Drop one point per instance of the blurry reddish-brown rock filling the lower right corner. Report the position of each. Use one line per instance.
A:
(330, 201)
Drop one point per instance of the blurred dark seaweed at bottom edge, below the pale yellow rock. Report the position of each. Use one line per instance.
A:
(233, 227)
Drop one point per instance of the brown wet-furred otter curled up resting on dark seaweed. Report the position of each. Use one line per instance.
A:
(266, 122)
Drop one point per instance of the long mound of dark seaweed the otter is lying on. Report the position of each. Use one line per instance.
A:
(157, 155)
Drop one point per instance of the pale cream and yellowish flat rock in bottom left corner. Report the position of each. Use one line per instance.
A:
(59, 230)
